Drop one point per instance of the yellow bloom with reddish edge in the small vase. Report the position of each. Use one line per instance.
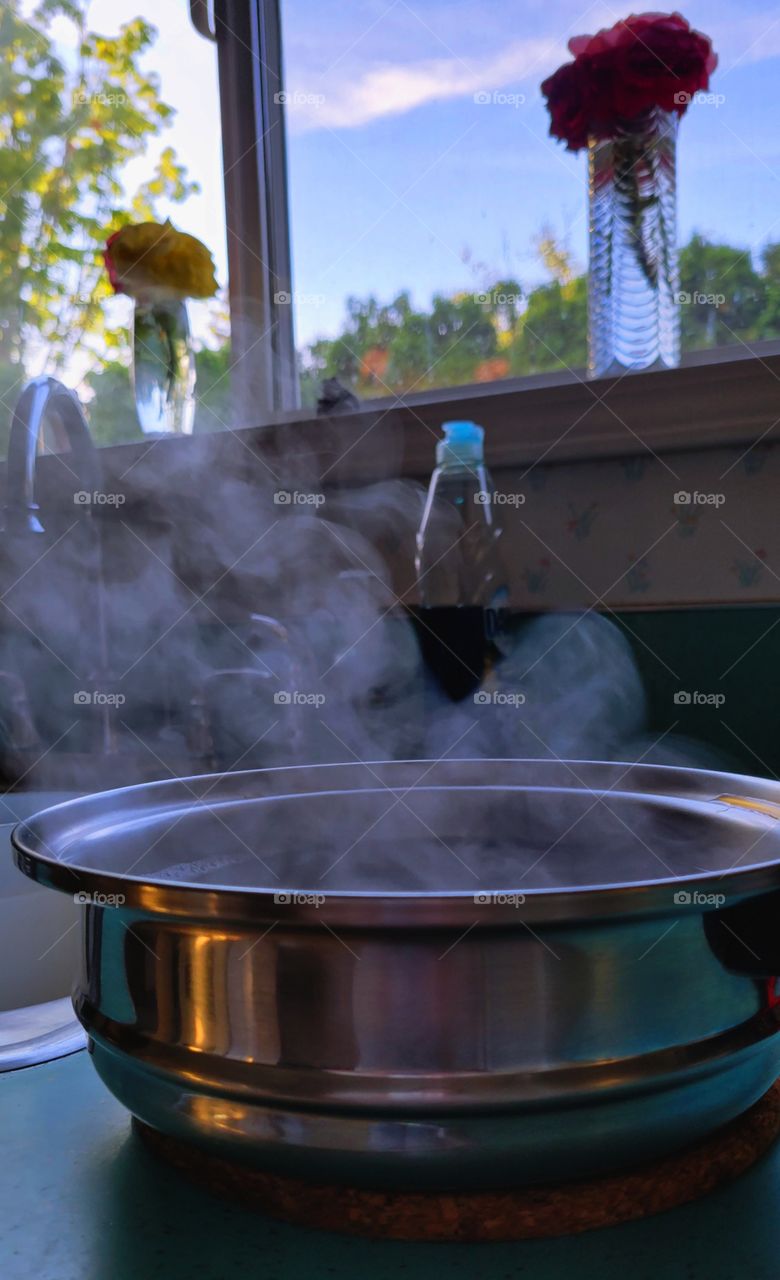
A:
(153, 260)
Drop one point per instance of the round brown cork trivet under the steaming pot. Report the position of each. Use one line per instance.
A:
(524, 1214)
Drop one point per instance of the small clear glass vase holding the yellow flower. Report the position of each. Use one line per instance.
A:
(163, 368)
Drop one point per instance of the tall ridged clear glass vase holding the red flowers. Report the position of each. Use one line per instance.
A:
(633, 281)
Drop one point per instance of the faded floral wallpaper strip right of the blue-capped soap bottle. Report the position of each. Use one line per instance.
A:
(700, 528)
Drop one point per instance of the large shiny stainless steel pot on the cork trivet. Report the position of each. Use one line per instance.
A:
(610, 999)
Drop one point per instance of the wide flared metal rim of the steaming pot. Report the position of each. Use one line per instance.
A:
(42, 842)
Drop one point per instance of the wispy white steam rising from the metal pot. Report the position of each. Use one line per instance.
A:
(299, 651)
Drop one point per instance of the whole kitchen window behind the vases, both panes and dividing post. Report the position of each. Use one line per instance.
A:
(376, 182)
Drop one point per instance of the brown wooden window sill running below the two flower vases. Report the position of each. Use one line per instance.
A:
(731, 396)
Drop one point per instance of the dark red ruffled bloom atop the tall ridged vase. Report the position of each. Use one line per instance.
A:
(644, 62)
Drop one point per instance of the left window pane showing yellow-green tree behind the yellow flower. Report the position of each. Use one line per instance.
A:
(110, 113)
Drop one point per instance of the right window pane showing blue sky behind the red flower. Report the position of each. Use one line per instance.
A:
(440, 235)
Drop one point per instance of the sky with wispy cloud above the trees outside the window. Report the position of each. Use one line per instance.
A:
(402, 180)
